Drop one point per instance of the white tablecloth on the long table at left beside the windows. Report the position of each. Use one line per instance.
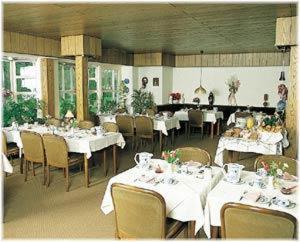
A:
(86, 144)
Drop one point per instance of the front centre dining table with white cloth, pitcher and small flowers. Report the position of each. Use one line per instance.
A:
(184, 190)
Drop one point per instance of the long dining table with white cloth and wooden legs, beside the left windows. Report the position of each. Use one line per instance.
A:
(78, 141)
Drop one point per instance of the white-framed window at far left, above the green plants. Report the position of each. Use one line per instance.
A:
(20, 77)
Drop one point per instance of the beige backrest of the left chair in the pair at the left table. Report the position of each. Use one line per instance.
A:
(33, 146)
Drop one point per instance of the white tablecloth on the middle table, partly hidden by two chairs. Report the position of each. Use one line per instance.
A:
(160, 124)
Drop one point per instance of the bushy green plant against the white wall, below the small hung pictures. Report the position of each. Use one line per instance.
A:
(142, 100)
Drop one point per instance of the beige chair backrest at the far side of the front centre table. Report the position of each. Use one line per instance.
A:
(195, 154)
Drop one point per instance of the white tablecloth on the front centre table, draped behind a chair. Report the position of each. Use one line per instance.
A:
(184, 201)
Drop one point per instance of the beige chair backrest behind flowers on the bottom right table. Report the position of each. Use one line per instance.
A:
(292, 169)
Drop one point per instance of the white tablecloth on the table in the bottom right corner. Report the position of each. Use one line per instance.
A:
(217, 198)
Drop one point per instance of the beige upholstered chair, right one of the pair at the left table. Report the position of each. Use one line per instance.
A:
(57, 155)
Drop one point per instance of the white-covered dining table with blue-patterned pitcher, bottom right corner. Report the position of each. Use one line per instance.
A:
(258, 196)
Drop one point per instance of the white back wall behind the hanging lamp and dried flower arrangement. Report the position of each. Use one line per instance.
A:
(255, 82)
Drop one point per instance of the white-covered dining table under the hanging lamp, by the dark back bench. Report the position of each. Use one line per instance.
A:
(209, 116)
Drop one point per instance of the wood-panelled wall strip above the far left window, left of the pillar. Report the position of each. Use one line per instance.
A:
(29, 44)
